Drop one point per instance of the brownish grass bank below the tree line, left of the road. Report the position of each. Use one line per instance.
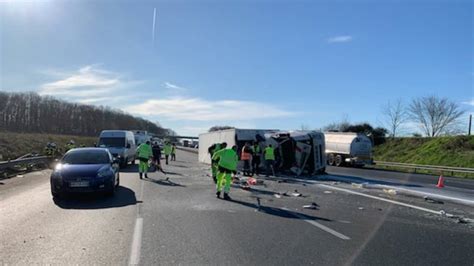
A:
(14, 145)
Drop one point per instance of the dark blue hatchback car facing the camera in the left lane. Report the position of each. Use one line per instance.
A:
(85, 170)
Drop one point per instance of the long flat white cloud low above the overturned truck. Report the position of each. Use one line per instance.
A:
(197, 109)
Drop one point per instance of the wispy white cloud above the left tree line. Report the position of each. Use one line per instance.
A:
(89, 84)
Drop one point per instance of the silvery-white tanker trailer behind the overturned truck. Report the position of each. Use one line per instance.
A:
(346, 148)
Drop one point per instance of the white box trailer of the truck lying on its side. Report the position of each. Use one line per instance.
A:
(231, 136)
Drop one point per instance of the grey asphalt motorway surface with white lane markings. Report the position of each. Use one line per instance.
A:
(181, 222)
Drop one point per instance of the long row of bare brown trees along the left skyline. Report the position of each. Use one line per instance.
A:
(30, 112)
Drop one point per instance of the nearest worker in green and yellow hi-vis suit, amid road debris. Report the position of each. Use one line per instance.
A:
(227, 160)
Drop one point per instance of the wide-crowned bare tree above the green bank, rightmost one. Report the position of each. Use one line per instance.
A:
(435, 115)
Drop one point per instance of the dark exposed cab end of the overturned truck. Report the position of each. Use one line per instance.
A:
(301, 152)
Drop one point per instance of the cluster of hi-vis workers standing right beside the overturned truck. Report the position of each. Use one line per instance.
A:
(224, 163)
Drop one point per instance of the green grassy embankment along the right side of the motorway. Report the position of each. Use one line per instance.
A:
(447, 151)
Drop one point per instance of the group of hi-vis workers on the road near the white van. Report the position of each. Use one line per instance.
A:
(146, 152)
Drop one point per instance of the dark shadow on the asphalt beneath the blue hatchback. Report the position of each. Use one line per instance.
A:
(123, 197)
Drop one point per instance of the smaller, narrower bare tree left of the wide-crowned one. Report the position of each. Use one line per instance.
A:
(395, 115)
